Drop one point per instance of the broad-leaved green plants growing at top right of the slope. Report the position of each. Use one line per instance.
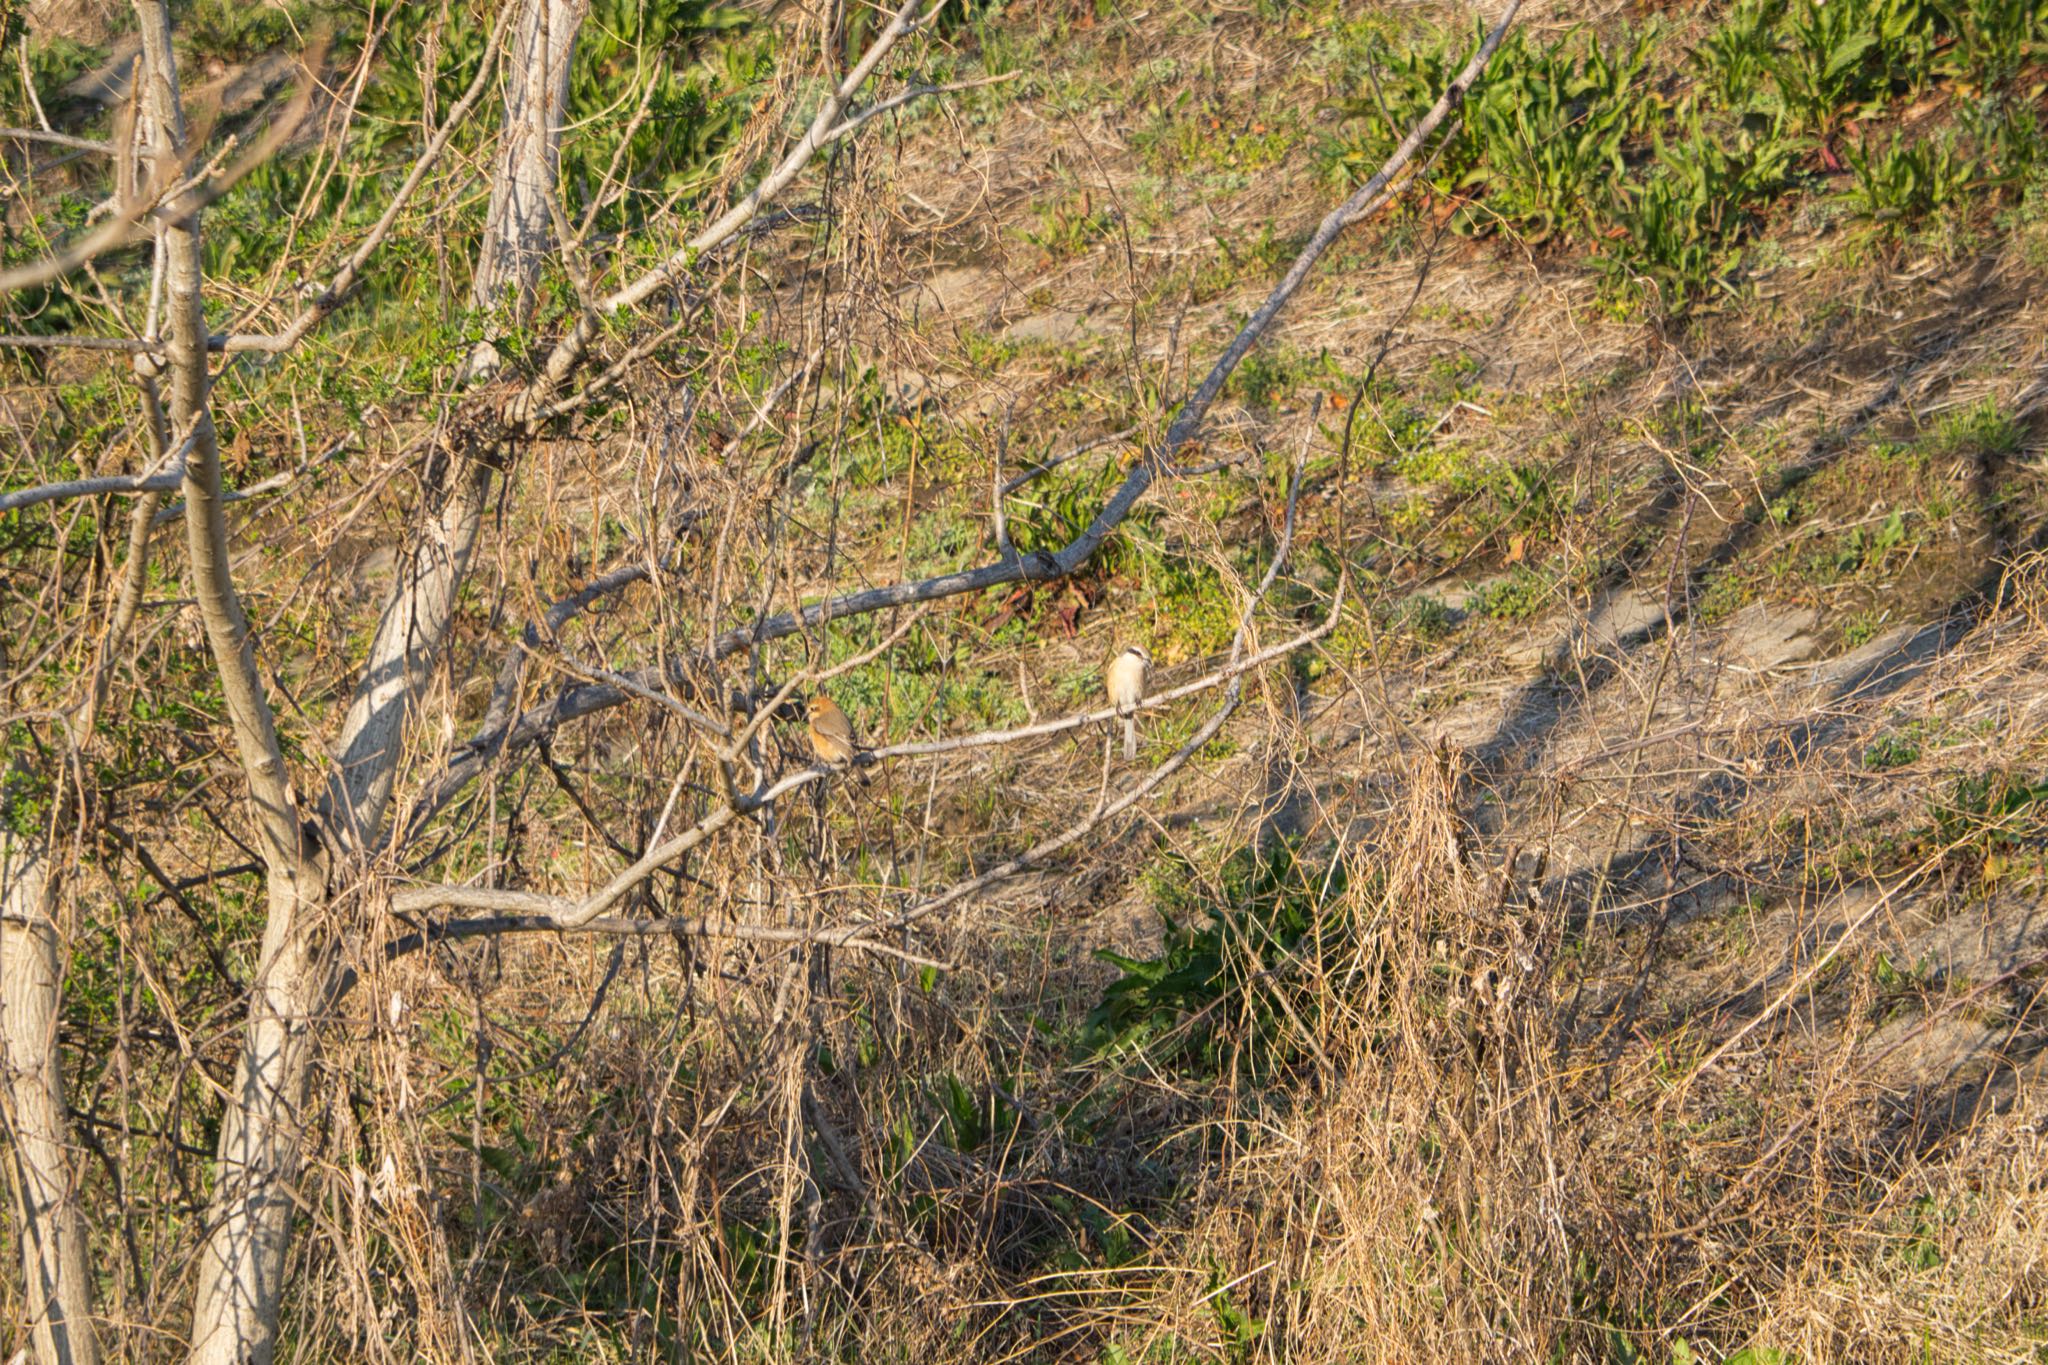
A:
(1668, 161)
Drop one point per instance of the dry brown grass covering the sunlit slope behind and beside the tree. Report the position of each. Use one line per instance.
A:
(1623, 1032)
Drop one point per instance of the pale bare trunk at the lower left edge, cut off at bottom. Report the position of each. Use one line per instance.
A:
(56, 1272)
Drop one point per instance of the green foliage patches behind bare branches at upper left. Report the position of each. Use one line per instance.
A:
(656, 95)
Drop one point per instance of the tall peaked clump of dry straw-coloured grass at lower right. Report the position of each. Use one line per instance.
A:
(1457, 1178)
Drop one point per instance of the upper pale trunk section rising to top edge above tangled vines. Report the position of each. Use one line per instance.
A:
(519, 226)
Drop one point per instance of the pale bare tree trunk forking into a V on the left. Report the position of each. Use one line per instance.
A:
(249, 1237)
